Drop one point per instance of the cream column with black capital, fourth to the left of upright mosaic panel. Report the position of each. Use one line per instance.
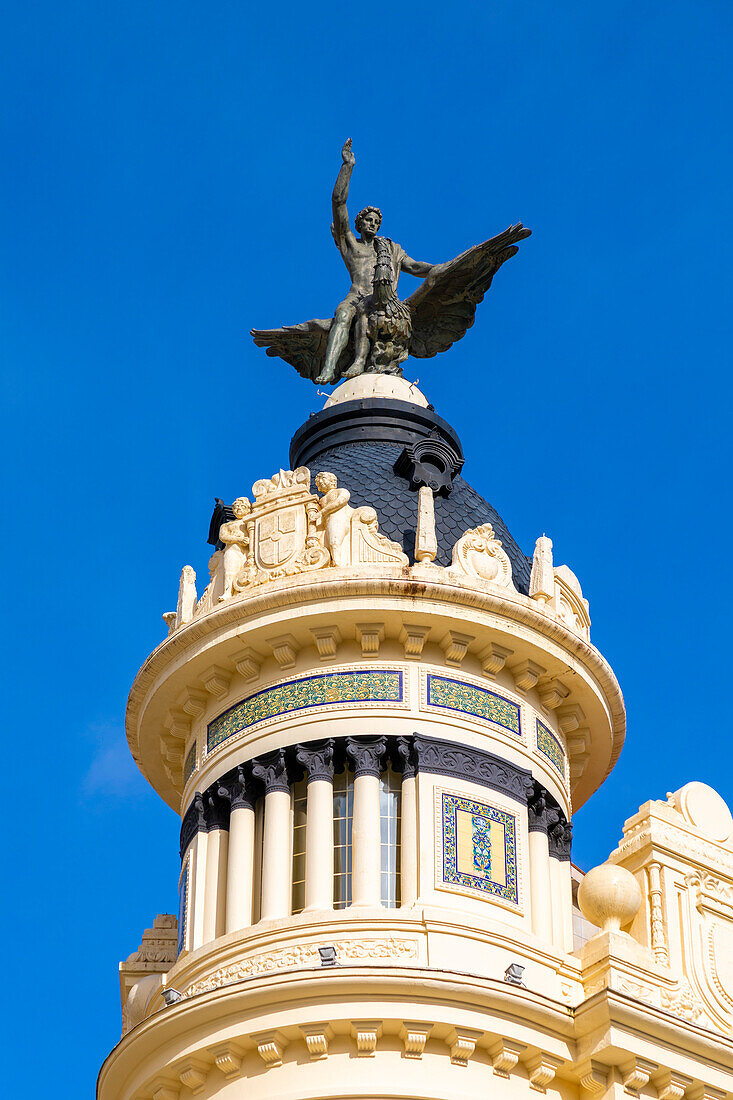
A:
(277, 842)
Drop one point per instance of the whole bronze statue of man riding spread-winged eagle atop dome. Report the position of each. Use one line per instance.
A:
(373, 331)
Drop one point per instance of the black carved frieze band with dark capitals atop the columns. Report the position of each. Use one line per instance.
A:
(369, 756)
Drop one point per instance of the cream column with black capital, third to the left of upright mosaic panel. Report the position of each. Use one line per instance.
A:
(318, 758)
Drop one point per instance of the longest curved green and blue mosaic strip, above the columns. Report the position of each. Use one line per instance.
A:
(330, 689)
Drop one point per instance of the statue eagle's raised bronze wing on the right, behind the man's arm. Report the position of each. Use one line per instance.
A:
(444, 307)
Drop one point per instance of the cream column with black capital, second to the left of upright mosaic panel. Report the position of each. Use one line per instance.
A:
(367, 755)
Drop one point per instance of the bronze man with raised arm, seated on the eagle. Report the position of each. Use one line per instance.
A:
(360, 258)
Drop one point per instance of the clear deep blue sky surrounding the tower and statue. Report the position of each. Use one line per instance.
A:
(166, 178)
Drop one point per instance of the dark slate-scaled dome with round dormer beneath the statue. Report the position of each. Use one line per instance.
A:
(382, 450)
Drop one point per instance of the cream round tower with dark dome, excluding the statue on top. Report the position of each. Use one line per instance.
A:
(376, 724)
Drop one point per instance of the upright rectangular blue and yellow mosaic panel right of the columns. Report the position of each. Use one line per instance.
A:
(479, 848)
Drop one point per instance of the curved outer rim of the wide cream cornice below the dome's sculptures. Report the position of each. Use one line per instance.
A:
(445, 591)
